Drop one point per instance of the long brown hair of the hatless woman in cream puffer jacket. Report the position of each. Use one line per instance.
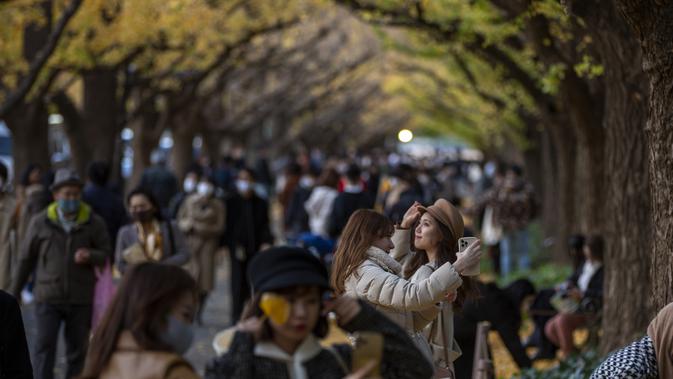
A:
(363, 228)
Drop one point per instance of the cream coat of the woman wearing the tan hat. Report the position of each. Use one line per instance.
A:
(440, 323)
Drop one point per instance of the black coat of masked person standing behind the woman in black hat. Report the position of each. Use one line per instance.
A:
(247, 224)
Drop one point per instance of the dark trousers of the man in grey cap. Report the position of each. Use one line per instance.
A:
(77, 319)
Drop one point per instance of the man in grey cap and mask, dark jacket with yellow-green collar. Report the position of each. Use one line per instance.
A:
(62, 246)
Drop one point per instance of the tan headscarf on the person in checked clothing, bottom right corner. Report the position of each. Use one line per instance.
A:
(661, 332)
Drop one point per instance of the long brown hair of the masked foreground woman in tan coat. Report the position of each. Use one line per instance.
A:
(145, 297)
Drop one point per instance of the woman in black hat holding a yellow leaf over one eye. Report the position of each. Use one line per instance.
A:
(280, 330)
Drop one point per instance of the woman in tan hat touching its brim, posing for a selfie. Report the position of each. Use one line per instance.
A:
(435, 243)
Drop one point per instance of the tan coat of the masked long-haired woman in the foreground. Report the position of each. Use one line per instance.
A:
(129, 361)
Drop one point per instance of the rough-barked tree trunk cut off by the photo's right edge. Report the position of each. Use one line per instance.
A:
(652, 22)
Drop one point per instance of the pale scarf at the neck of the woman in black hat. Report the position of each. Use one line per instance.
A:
(308, 349)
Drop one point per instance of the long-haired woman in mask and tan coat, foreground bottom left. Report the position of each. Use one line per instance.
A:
(147, 327)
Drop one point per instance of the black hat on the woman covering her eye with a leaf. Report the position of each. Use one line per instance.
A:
(285, 266)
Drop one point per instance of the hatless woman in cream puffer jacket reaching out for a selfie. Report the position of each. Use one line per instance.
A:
(363, 267)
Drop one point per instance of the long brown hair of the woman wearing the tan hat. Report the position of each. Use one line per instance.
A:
(447, 253)
